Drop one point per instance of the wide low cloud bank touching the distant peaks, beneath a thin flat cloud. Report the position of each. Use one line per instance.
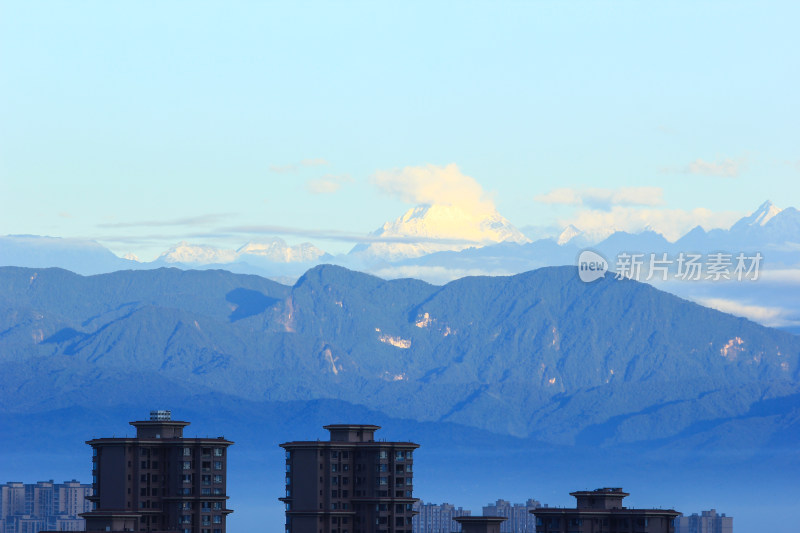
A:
(672, 223)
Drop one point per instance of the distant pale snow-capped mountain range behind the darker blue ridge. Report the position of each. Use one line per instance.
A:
(442, 243)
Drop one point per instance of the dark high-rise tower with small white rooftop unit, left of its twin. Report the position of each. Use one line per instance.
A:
(159, 480)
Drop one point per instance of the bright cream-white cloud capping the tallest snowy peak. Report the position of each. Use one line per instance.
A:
(435, 185)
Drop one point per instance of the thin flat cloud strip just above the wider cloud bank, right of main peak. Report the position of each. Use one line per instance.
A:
(604, 198)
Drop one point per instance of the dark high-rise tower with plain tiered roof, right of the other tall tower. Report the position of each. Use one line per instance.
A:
(349, 484)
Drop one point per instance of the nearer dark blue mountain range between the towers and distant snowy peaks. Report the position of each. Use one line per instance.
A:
(539, 382)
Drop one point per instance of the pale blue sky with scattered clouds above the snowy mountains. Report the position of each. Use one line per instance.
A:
(141, 124)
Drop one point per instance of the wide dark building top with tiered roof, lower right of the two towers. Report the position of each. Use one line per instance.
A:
(601, 511)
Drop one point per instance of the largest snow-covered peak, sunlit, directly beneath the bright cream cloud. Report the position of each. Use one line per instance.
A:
(433, 228)
